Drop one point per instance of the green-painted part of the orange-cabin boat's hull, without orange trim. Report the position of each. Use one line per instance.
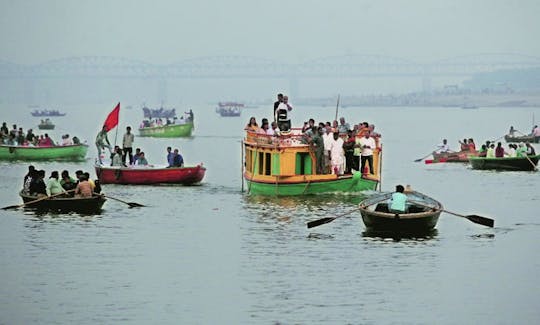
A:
(347, 184)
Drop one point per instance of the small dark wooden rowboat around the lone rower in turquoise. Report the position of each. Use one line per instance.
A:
(421, 217)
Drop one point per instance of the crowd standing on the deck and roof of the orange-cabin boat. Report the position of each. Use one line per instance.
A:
(338, 148)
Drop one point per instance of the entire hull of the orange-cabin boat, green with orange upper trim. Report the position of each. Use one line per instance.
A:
(314, 184)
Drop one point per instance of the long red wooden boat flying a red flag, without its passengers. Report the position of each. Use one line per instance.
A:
(150, 175)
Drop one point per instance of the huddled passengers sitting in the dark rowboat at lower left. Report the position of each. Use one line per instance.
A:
(59, 185)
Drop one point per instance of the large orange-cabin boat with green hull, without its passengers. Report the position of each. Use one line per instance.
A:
(285, 166)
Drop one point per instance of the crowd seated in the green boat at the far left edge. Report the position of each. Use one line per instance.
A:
(17, 137)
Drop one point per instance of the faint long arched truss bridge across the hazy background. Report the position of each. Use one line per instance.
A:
(347, 66)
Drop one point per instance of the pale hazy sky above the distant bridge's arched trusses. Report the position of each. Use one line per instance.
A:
(291, 31)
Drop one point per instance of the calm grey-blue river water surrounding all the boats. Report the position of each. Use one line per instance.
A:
(210, 254)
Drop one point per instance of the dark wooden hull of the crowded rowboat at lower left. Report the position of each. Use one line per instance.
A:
(66, 204)
